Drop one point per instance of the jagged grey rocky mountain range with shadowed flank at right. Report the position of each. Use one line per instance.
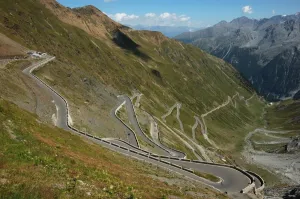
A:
(265, 51)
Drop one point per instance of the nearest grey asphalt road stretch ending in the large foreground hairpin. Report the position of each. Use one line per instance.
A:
(233, 179)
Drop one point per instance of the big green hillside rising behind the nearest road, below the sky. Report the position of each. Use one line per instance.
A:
(102, 59)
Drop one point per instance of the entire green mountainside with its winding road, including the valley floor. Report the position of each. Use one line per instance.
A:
(100, 110)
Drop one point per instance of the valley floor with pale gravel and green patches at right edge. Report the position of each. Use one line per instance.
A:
(276, 147)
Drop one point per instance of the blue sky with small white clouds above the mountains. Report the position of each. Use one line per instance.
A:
(192, 13)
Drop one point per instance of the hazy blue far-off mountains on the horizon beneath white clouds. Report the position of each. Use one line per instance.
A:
(169, 31)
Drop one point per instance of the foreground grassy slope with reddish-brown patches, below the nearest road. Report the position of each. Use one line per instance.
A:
(38, 161)
